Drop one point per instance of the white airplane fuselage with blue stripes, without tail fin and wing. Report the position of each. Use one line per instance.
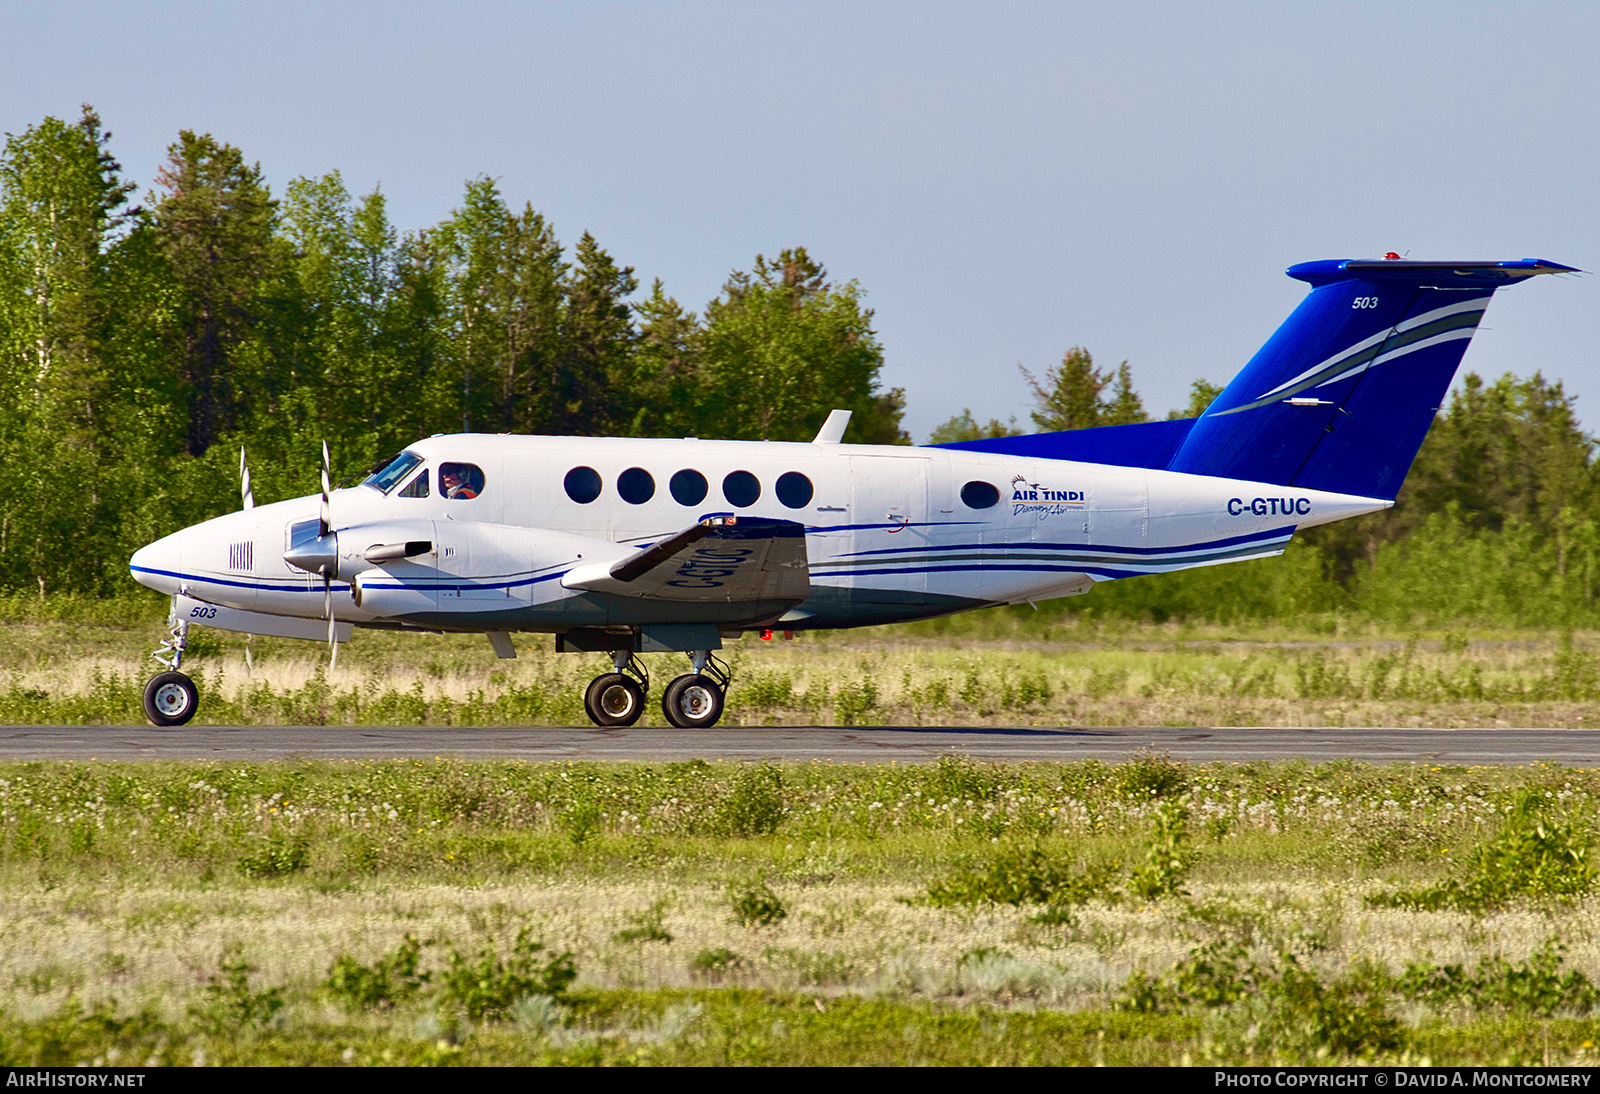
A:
(890, 533)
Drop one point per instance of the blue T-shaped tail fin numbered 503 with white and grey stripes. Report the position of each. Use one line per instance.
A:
(1343, 394)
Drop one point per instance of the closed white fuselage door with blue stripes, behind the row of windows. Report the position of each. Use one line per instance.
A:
(890, 529)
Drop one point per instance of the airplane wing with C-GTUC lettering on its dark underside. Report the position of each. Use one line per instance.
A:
(726, 559)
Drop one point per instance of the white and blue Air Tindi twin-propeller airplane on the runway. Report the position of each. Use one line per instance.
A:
(628, 546)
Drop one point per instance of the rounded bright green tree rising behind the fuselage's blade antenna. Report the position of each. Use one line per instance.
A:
(783, 348)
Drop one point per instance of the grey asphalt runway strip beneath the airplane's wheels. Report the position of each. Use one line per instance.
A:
(860, 745)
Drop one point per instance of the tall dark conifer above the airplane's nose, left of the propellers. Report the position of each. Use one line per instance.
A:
(215, 220)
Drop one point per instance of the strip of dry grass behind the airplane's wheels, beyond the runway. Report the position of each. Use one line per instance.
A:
(89, 665)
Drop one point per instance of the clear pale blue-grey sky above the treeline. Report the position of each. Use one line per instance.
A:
(1004, 182)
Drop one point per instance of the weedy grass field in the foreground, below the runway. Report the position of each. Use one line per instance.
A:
(442, 912)
